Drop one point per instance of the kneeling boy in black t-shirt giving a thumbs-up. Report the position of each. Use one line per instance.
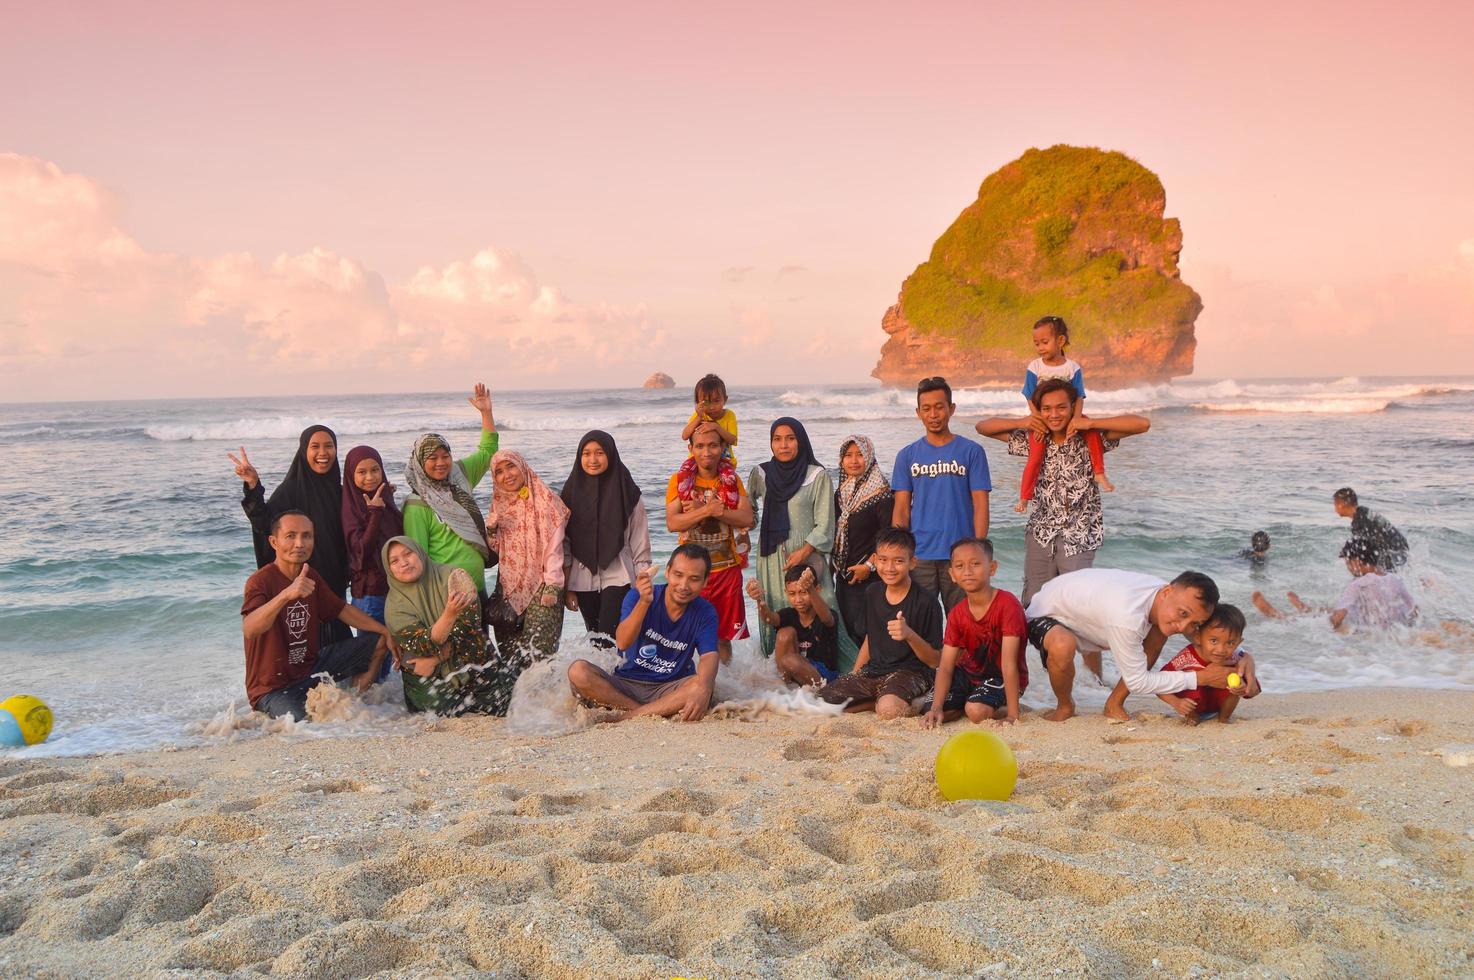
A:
(903, 636)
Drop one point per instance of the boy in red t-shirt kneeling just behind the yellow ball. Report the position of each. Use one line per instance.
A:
(982, 673)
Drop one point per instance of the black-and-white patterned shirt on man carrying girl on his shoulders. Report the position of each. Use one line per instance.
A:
(1066, 500)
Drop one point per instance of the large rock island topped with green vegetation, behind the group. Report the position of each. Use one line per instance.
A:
(1071, 232)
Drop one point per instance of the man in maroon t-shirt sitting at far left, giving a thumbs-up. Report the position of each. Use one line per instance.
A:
(285, 605)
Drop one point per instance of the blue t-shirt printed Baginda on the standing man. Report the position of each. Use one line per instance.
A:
(941, 481)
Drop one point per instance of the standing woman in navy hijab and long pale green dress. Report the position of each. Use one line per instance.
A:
(797, 502)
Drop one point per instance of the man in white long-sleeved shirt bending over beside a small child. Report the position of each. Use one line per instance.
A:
(1124, 612)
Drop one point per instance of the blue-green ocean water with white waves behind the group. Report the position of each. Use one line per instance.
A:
(123, 546)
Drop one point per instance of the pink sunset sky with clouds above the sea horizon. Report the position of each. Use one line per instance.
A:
(276, 198)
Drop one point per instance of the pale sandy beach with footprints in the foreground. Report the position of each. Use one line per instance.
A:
(1318, 835)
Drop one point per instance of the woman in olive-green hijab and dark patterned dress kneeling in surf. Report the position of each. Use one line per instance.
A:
(436, 615)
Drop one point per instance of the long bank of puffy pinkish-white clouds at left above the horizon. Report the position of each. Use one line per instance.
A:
(129, 322)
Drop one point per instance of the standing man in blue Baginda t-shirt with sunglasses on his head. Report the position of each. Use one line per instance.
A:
(941, 484)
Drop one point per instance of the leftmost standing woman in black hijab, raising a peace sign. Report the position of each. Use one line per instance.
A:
(315, 486)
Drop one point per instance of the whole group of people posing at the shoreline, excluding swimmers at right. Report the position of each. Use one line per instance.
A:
(875, 590)
